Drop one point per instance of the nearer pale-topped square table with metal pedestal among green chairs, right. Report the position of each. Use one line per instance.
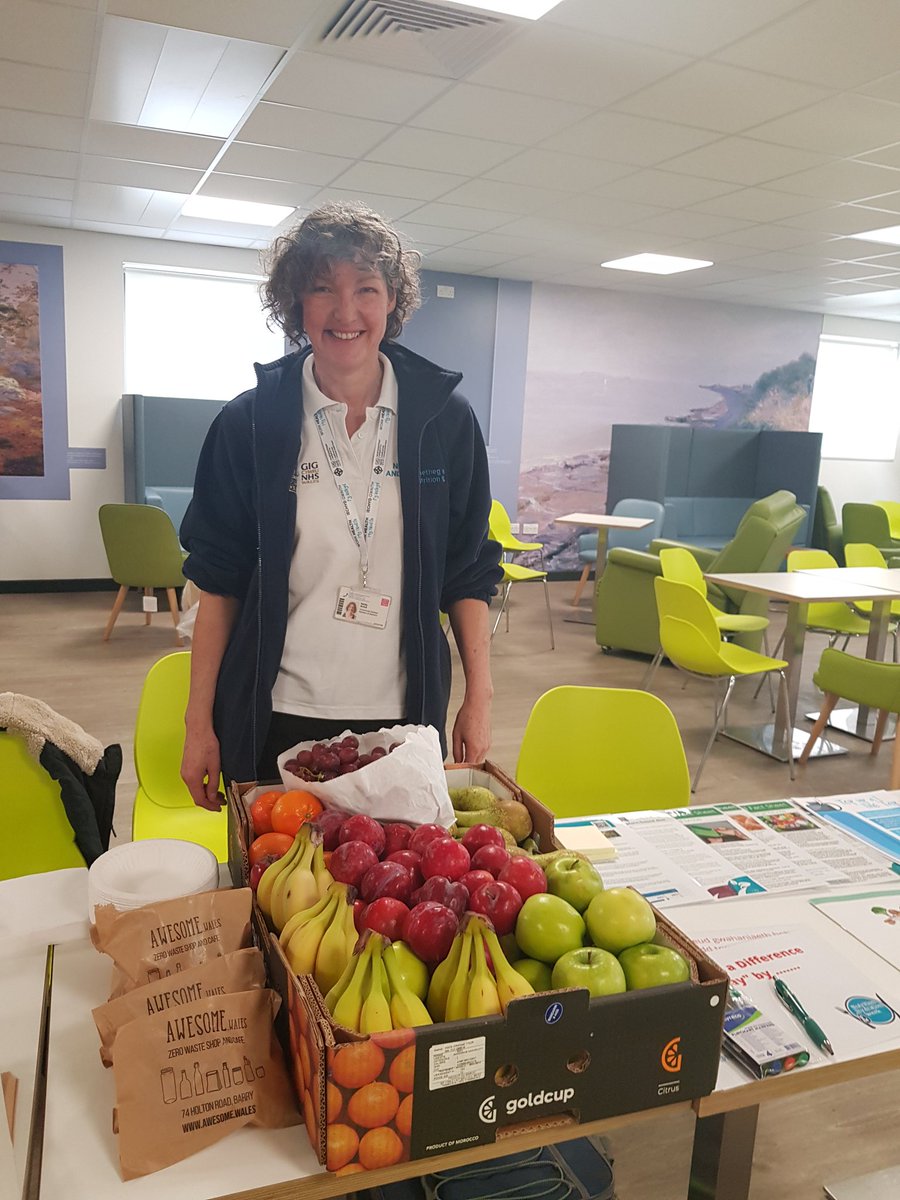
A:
(801, 589)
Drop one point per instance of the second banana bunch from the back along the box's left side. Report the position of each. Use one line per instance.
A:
(320, 940)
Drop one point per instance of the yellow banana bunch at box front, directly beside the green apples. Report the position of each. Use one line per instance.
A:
(465, 986)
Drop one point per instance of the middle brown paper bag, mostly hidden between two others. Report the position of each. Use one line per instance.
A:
(241, 971)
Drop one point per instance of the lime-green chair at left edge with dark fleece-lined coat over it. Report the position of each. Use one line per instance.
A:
(37, 836)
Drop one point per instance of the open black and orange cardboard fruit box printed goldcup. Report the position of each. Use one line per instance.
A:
(376, 1101)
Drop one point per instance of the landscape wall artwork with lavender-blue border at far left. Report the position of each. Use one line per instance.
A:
(34, 418)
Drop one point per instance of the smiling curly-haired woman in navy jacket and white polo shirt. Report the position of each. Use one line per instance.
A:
(339, 508)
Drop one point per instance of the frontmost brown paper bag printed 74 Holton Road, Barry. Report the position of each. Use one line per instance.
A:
(188, 1078)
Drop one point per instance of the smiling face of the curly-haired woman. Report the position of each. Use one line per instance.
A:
(346, 315)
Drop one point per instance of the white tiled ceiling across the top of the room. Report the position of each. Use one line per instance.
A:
(757, 134)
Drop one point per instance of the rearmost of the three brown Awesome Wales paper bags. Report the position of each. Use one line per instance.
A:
(164, 939)
